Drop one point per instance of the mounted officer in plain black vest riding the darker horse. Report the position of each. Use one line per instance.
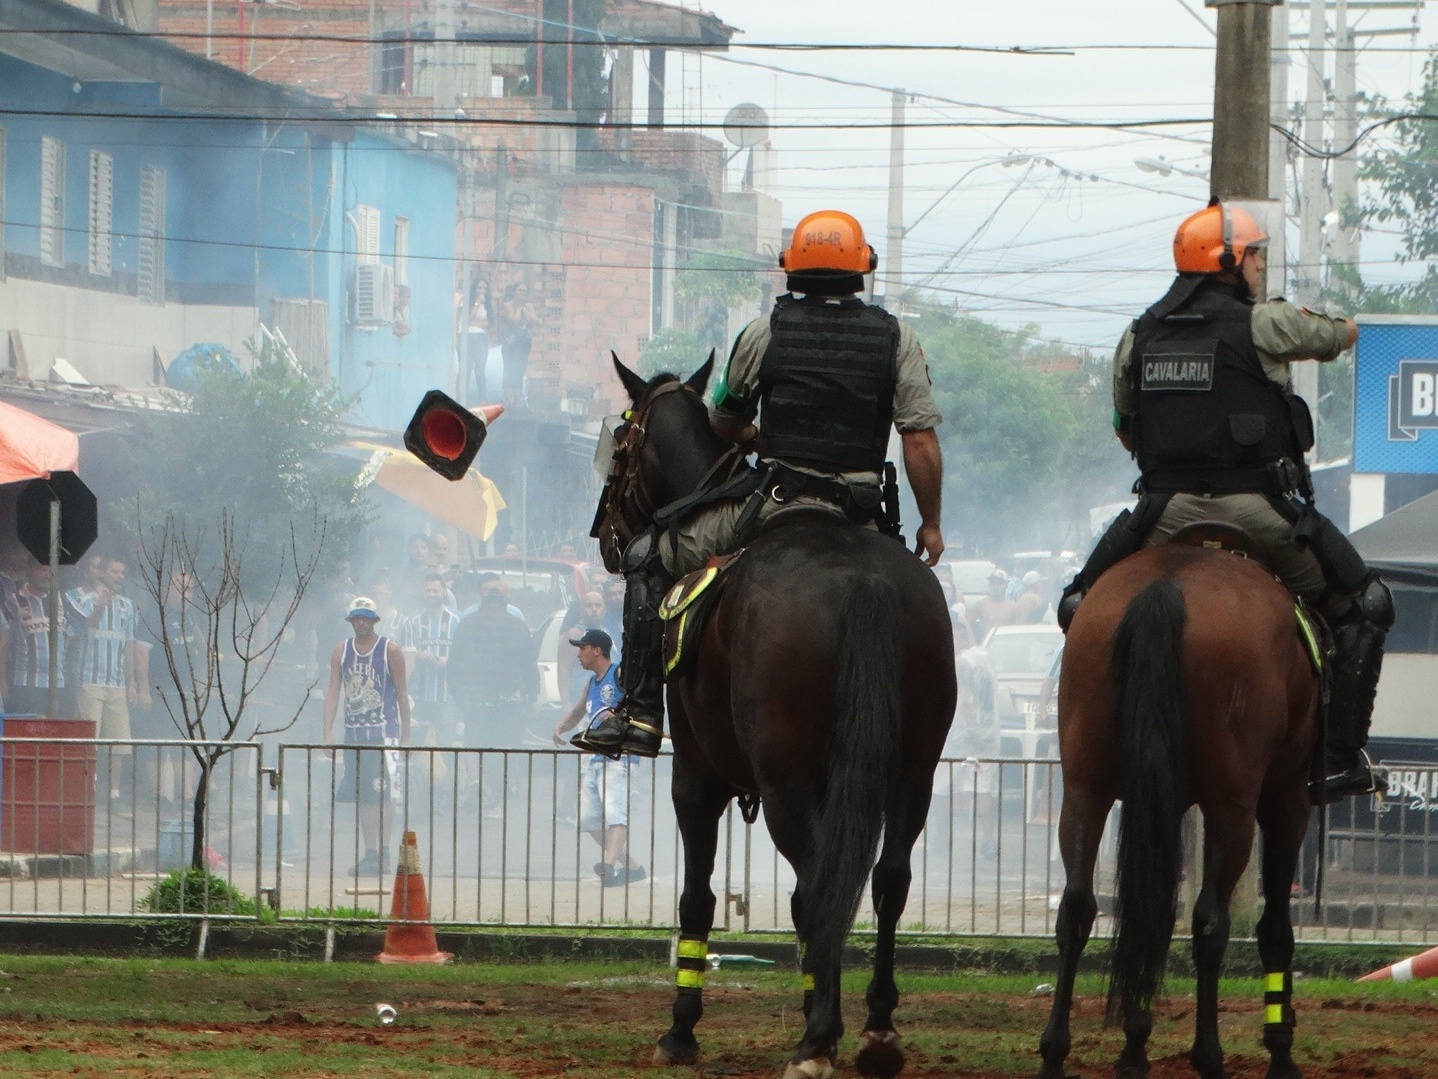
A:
(832, 378)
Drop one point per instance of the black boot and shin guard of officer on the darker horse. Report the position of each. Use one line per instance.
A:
(638, 723)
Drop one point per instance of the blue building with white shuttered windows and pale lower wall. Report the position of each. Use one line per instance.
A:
(152, 201)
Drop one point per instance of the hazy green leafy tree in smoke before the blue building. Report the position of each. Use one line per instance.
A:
(252, 447)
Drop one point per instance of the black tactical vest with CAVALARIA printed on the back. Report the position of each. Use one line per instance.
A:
(1209, 415)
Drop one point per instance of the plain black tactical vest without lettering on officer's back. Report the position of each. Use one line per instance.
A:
(828, 385)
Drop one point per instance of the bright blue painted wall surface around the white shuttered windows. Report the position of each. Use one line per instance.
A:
(254, 212)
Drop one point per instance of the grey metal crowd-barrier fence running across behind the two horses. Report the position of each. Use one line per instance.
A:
(514, 839)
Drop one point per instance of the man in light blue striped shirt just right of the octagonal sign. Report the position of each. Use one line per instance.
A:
(107, 670)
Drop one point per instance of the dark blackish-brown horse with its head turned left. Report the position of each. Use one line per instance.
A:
(823, 688)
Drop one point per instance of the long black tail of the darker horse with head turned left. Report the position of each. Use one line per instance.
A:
(864, 768)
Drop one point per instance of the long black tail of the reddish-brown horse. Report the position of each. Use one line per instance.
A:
(1148, 670)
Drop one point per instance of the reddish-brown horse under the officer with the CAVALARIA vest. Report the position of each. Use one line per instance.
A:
(1184, 683)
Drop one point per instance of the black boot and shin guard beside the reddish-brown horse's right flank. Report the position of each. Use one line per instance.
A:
(1358, 647)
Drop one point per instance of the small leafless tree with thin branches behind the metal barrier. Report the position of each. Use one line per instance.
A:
(219, 634)
